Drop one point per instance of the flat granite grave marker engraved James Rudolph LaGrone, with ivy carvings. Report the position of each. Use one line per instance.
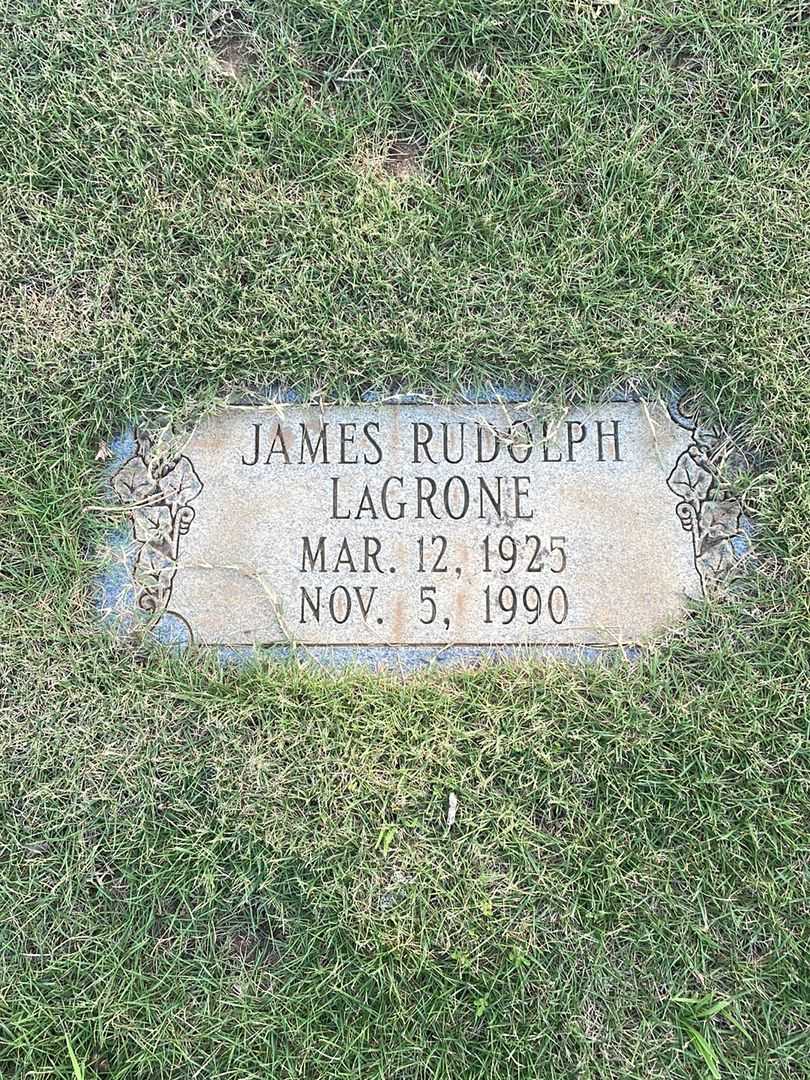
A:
(391, 524)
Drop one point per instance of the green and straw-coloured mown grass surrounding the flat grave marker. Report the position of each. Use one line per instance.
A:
(247, 873)
